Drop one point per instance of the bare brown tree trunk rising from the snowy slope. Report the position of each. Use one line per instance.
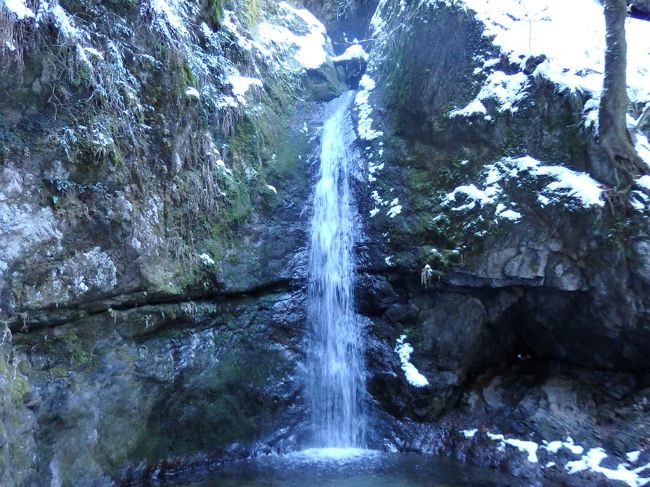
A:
(613, 133)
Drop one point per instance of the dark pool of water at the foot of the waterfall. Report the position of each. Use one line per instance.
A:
(352, 468)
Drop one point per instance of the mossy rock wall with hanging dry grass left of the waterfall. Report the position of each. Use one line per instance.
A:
(154, 168)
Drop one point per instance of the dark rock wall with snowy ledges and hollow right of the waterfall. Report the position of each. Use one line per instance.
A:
(518, 278)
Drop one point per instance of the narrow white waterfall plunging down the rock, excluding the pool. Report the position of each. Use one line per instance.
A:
(335, 356)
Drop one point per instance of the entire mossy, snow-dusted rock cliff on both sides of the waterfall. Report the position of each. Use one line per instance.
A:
(155, 161)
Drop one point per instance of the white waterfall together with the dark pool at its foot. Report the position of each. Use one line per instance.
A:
(336, 454)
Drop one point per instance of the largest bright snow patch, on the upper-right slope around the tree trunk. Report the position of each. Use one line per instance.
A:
(546, 30)
